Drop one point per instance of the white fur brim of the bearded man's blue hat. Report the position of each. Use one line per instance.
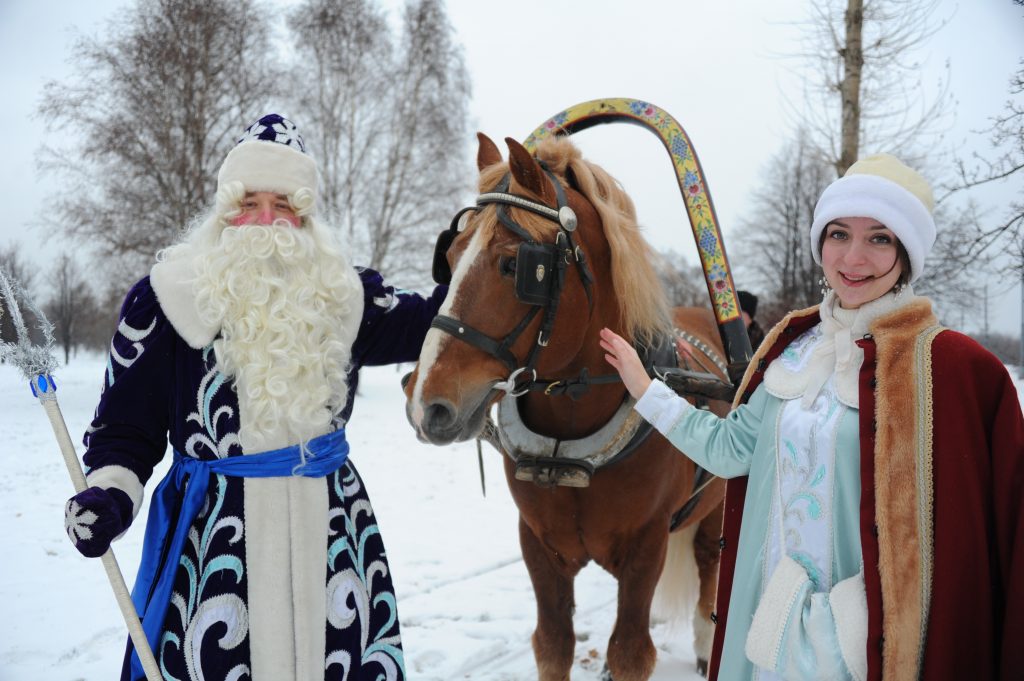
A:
(267, 166)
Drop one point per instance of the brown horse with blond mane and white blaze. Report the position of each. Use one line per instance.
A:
(532, 285)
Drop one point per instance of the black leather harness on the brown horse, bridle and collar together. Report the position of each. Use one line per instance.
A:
(539, 271)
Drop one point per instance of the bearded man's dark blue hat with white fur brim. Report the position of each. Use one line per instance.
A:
(270, 157)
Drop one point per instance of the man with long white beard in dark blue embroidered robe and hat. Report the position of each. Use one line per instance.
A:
(263, 559)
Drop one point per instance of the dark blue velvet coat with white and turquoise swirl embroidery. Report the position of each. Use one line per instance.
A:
(158, 389)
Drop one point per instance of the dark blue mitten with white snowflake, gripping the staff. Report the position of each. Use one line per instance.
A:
(94, 518)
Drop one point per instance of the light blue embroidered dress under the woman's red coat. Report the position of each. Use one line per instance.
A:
(810, 504)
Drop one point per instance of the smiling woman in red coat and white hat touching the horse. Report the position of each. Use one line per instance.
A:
(875, 516)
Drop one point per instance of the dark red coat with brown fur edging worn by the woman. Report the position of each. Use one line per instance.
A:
(943, 501)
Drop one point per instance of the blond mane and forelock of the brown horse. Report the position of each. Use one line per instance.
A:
(643, 303)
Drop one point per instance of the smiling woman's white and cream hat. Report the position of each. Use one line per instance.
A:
(880, 187)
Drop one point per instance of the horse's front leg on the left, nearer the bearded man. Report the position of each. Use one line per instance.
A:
(554, 641)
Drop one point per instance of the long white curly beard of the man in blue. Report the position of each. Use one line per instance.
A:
(281, 295)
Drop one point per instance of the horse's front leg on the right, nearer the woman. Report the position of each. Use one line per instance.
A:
(631, 651)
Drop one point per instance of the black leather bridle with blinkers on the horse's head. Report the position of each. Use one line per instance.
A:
(539, 270)
